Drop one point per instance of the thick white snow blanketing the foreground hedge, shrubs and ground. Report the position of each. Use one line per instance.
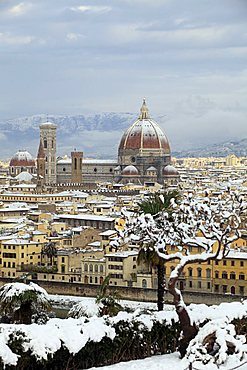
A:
(74, 334)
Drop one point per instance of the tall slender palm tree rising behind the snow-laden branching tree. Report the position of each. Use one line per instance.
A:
(155, 204)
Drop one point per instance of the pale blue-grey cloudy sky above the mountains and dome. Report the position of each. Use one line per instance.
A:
(187, 57)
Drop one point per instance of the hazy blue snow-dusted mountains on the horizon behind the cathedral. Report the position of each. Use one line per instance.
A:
(98, 135)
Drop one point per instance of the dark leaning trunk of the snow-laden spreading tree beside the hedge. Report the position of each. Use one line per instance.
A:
(188, 331)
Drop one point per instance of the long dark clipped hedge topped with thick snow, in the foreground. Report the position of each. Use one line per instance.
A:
(87, 342)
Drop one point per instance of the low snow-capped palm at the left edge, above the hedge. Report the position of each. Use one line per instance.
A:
(20, 301)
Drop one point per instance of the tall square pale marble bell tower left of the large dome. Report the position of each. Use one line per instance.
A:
(48, 139)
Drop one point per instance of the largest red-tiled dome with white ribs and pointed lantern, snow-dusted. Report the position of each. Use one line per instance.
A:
(144, 134)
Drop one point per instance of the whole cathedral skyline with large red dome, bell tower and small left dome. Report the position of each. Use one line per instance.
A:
(144, 157)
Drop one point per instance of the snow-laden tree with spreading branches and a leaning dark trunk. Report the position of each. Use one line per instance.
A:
(216, 219)
